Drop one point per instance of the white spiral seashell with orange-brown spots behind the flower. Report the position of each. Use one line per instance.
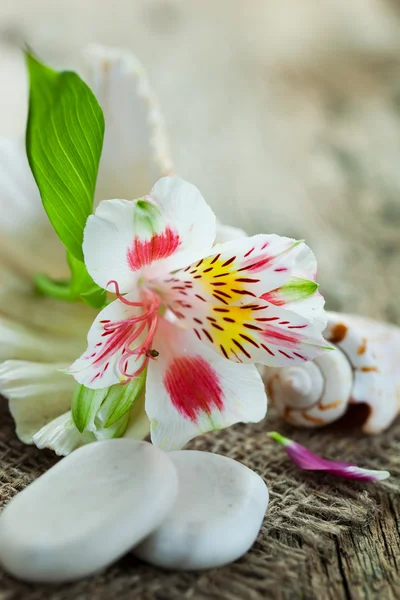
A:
(363, 368)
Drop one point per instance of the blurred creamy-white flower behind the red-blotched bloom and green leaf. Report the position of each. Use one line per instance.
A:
(40, 335)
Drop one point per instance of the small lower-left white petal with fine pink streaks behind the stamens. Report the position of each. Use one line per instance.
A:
(109, 340)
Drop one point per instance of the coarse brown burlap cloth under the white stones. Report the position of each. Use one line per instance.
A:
(307, 511)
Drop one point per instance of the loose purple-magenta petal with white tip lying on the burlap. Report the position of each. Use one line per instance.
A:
(309, 461)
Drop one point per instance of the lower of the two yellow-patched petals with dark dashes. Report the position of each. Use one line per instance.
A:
(255, 332)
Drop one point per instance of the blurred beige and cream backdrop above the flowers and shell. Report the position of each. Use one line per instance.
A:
(285, 113)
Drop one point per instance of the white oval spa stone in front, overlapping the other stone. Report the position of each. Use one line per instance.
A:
(87, 511)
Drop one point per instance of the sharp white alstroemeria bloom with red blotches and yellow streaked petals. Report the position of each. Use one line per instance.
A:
(194, 314)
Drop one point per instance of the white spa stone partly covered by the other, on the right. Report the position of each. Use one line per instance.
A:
(216, 517)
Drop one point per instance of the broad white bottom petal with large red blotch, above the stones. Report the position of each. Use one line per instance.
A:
(191, 389)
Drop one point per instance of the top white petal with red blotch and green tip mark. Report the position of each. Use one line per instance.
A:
(161, 232)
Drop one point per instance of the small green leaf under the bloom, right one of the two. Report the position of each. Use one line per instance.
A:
(120, 399)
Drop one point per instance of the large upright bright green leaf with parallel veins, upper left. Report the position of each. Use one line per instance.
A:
(64, 139)
